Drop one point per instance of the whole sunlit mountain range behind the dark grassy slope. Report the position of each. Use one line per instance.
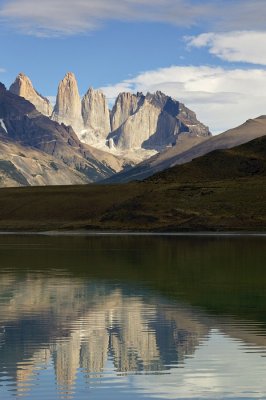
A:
(80, 140)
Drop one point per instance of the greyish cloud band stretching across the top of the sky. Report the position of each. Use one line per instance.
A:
(68, 17)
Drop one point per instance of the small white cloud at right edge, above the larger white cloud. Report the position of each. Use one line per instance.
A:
(235, 46)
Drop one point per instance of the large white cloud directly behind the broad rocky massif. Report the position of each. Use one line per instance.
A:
(222, 98)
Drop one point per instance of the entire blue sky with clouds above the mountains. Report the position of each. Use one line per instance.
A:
(208, 54)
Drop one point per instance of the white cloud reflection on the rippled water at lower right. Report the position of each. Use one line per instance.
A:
(219, 368)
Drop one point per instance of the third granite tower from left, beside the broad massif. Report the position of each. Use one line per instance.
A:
(96, 117)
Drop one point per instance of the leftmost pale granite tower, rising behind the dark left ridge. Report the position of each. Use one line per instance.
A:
(23, 87)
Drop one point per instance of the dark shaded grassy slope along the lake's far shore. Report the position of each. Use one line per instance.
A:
(224, 190)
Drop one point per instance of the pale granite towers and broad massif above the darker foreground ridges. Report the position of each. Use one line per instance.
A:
(137, 127)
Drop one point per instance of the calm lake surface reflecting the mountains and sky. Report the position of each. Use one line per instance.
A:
(132, 317)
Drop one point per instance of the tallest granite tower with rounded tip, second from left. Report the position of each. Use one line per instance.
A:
(68, 104)
